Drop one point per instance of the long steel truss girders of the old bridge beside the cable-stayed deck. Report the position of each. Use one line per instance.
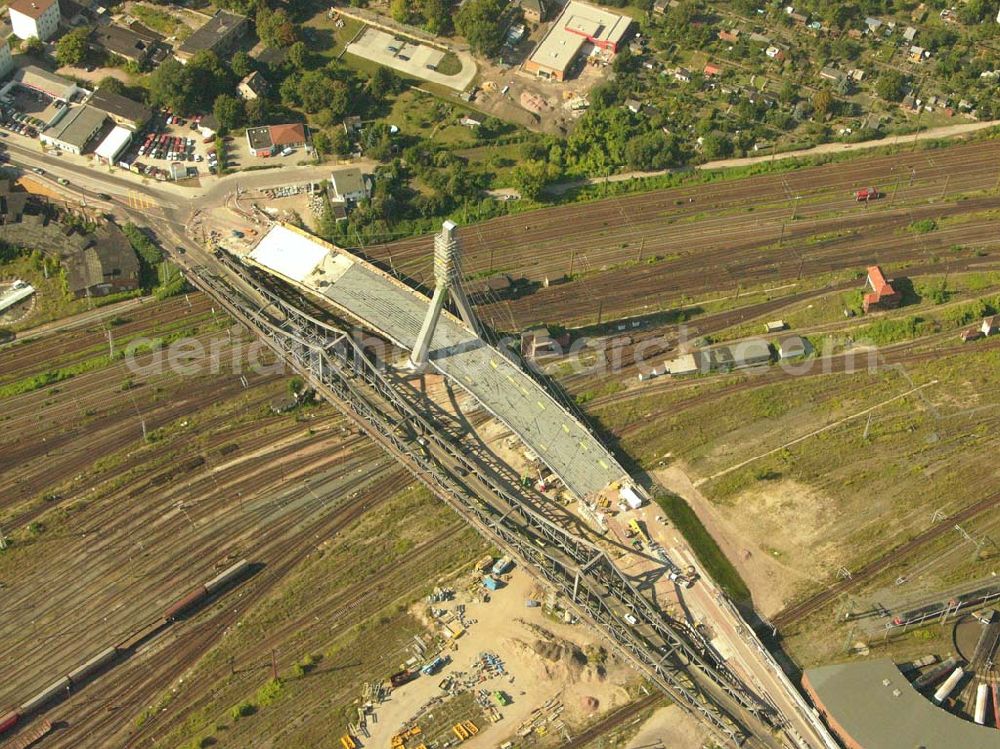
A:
(332, 358)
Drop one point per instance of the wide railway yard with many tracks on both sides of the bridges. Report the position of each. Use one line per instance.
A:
(851, 489)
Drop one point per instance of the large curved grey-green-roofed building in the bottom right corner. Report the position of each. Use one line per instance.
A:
(871, 705)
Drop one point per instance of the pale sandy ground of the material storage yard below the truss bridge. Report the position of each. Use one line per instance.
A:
(504, 627)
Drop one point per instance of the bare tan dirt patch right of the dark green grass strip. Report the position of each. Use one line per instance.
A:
(743, 541)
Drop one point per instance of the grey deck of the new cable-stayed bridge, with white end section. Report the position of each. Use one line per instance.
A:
(397, 311)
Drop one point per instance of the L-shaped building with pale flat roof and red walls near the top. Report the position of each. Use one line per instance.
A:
(579, 24)
